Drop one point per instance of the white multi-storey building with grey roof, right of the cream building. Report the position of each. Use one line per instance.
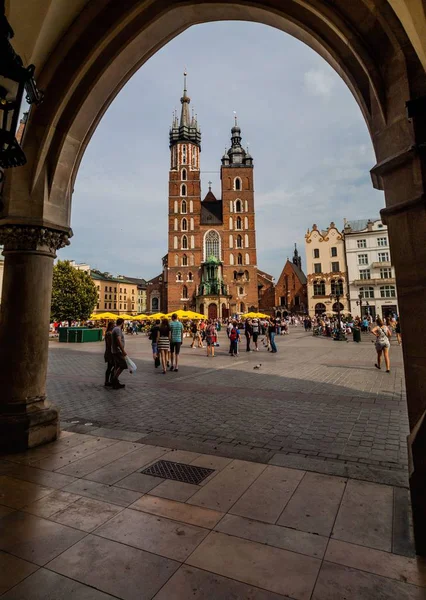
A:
(371, 276)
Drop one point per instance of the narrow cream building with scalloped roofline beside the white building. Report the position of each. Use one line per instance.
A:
(326, 270)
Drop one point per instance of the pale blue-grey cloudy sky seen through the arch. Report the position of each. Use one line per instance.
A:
(311, 148)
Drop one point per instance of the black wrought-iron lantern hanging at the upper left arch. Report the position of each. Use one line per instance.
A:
(14, 80)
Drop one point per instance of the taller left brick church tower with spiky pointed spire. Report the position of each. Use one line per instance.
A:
(184, 251)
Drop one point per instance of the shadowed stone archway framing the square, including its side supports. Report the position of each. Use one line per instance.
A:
(85, 59)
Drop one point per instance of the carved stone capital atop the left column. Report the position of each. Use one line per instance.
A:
(33, 239)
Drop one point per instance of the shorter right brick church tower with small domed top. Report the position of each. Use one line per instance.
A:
(239, 225)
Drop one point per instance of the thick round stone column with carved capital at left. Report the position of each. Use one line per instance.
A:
(26, 418)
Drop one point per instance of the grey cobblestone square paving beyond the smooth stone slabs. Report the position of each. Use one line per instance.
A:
(316, 404)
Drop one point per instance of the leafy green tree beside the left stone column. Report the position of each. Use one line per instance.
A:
(74, 294)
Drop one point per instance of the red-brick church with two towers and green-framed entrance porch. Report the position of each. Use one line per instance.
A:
(211, 264)
